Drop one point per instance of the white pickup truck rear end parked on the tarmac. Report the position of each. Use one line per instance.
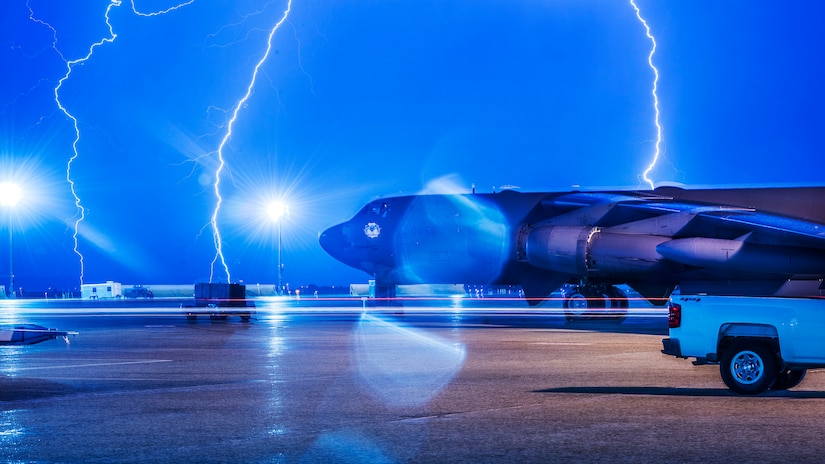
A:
(760, 343)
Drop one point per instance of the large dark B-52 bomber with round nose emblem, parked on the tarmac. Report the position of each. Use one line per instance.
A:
(743, 241)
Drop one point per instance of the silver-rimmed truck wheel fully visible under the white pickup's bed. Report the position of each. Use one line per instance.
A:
(748, 368)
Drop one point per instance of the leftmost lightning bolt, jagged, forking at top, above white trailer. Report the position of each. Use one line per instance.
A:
(70, 65)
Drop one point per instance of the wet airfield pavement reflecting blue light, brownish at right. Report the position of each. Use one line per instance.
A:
(421, 383)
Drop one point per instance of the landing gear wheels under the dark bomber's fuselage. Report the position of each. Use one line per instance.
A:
(585, 301)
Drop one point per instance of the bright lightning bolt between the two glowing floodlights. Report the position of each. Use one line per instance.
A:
(216, 234)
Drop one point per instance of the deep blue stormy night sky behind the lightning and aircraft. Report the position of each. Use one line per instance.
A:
(363, 99)
